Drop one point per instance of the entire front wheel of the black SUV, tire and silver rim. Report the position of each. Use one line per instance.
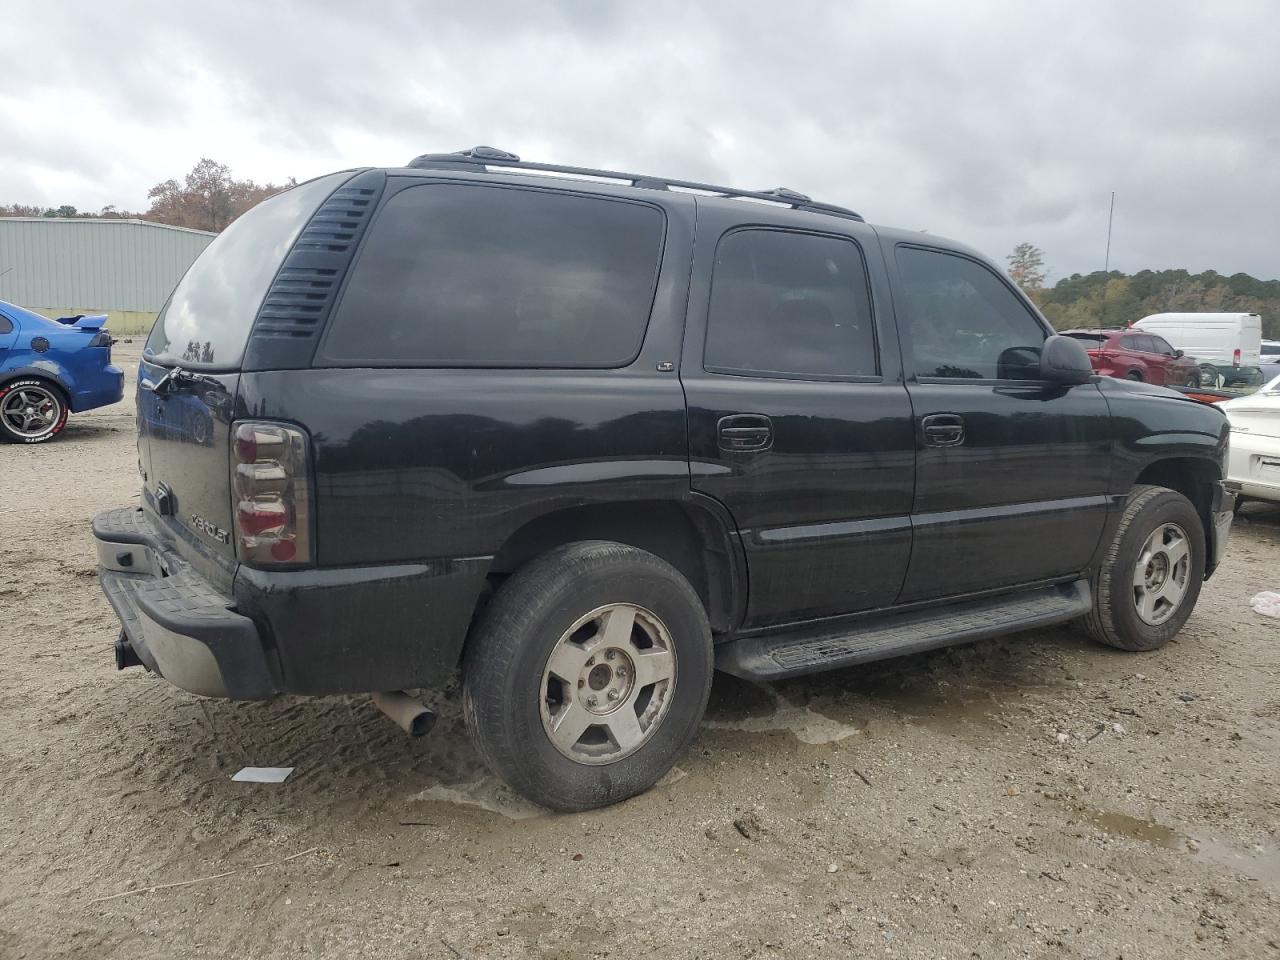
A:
(1118, 619)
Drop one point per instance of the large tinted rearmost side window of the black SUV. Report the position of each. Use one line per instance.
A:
(470, 276)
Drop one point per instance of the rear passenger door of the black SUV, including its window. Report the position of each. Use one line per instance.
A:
(799, 422)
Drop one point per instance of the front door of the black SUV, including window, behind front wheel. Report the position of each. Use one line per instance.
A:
(1012, 472)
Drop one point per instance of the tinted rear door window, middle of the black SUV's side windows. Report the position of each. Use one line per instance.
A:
(792, 305)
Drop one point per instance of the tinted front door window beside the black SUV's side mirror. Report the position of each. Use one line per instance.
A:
(964, 322)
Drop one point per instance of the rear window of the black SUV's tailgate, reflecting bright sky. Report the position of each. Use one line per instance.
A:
(208, 319)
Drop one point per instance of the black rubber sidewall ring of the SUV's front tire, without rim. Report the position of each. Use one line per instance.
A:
(1168, 508)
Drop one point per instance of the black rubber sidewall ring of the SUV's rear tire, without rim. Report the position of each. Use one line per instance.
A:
(540, 769)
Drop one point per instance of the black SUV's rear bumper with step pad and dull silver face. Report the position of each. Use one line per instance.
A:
(175, 623)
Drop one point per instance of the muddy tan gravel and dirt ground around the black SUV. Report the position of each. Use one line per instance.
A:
(1035, 797)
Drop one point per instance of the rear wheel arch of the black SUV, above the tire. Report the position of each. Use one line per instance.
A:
(694, 537)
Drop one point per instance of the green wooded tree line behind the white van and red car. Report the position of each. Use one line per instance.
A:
(1116, 300)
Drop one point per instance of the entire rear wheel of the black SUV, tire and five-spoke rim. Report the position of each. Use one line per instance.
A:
(542, 624)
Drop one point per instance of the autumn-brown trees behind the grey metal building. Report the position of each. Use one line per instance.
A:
(207, 199)
